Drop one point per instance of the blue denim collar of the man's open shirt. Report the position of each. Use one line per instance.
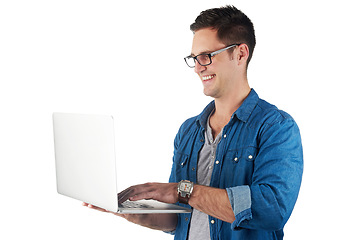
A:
(242, 113)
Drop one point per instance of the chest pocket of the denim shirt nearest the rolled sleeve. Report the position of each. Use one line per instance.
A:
(238, 166)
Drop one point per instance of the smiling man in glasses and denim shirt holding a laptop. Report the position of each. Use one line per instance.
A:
(241, 157)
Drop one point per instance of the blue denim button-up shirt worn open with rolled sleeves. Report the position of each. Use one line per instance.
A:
(259, 162)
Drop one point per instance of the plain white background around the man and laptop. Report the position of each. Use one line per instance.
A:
(126, 59)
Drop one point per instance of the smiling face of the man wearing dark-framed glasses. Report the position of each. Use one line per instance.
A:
(218, 77)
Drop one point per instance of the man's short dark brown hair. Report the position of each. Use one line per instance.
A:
(232, 26)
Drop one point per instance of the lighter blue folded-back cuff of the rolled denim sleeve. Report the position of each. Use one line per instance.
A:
(240, 200)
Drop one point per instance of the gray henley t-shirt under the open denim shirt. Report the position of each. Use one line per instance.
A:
(199, 225)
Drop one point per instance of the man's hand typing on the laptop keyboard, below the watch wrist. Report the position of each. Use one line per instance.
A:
(163, 192)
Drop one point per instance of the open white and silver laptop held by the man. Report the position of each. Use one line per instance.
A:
(86, 164)
